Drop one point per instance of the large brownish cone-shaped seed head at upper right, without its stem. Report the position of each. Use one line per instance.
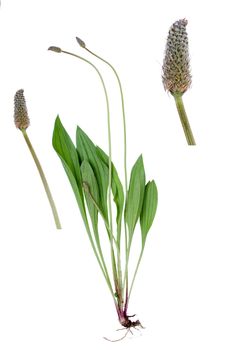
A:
(176, 65)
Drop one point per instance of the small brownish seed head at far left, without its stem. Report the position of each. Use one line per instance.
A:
(21, 118)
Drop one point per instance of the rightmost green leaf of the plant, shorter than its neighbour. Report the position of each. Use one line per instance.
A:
(149, 209)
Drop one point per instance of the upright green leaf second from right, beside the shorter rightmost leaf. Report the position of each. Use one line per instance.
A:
(135, 195)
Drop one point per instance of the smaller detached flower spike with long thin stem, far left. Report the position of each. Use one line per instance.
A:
(22, 122)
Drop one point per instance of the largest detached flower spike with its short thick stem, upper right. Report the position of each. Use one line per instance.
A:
(176, 71)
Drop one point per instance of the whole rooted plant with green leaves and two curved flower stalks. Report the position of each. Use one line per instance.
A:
(97, 187)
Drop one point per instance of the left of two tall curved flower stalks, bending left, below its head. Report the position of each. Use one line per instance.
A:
(110, 161)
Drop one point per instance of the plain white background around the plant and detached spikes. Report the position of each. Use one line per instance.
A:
(52, 294)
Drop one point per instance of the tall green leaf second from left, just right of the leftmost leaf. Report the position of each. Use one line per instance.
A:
(87, 151)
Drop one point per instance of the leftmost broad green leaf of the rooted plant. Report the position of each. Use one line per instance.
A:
(66, 151)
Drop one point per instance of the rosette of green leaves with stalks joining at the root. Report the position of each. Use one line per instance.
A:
(86, 166)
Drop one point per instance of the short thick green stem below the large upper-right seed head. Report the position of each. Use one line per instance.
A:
(184, 119)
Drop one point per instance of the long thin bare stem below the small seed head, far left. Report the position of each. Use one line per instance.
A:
(43, 178)
